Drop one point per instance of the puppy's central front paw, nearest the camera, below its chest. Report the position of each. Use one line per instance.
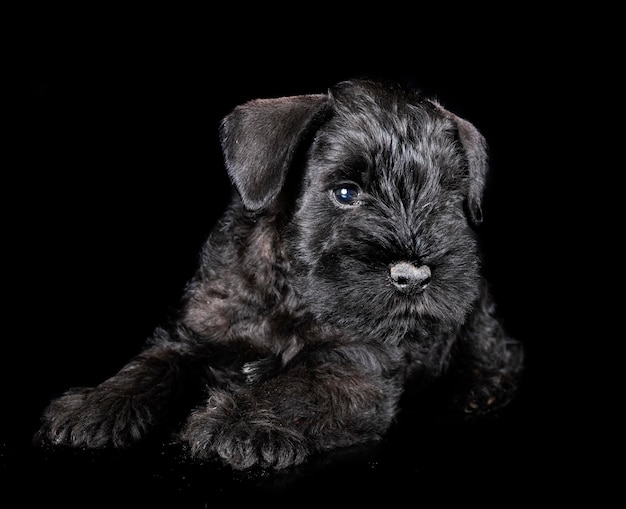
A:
(243, 438)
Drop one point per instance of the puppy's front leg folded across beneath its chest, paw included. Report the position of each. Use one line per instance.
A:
(324, 399)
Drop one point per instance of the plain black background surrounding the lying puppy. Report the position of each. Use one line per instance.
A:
(115, 177)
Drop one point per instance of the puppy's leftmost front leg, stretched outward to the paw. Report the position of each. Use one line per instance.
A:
(131, 404)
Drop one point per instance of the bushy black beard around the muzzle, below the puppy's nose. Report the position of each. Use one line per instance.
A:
(361, 298)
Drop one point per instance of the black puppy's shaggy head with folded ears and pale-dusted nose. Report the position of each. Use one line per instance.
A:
(388, 187)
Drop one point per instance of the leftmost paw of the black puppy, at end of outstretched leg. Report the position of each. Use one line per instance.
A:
(92, 418)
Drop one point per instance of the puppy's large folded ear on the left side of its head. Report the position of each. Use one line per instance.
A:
(259, 139)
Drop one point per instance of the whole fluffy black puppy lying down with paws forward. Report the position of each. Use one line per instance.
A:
(344, 270)
